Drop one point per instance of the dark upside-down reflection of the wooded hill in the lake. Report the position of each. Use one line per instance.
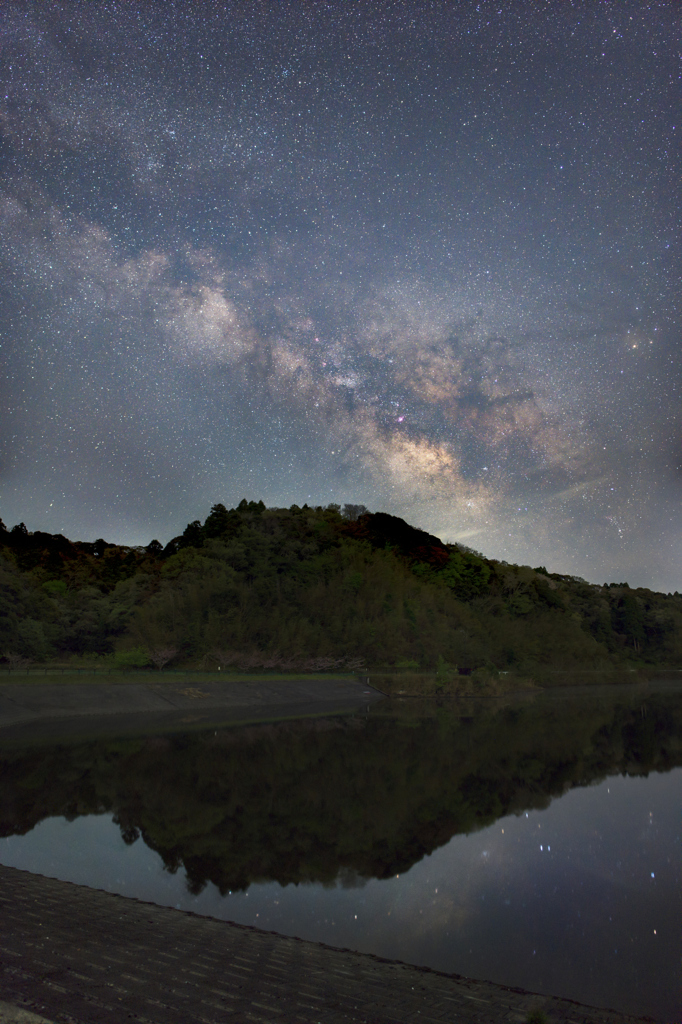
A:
(340, 799)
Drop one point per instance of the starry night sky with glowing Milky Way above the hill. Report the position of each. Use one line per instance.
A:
(424, 257)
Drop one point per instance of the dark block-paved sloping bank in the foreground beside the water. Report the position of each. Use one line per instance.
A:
(77, 956)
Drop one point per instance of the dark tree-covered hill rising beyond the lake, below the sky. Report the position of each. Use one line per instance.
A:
(317, 589)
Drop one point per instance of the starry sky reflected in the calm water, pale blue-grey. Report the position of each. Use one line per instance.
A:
(582, 900)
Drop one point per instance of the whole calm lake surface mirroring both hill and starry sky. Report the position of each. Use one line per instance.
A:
(534, 841)
